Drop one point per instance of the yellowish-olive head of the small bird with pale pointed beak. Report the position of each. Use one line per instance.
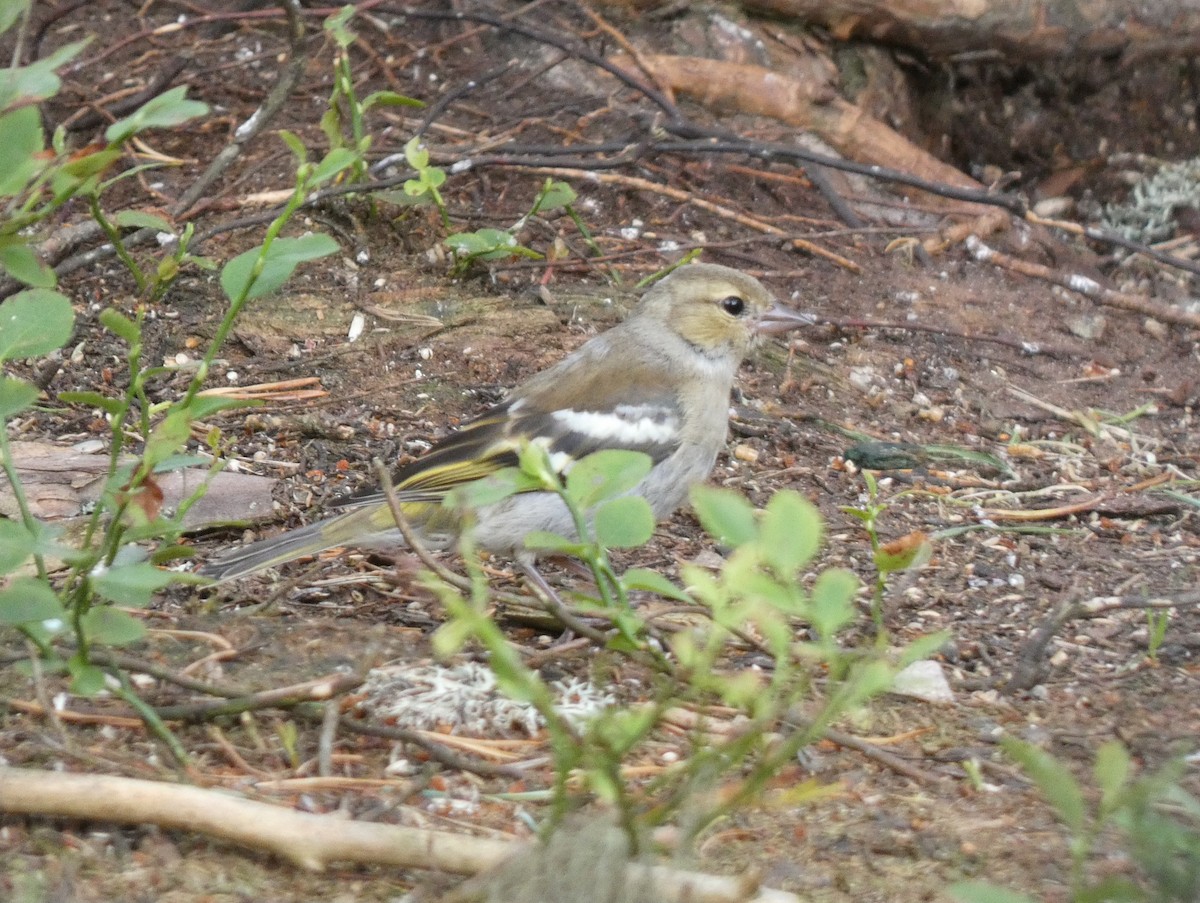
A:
(718, 310)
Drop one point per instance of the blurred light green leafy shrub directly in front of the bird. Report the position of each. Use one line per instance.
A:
(760, 597)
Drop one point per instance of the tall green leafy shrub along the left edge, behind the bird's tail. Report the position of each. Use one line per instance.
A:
(65, 615)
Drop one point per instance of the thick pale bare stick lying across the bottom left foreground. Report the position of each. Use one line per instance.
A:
(309, 841)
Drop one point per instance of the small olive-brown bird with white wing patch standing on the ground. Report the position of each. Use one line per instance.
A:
(659, 382)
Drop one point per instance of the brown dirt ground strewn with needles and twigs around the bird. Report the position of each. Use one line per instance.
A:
(1096, 433)
